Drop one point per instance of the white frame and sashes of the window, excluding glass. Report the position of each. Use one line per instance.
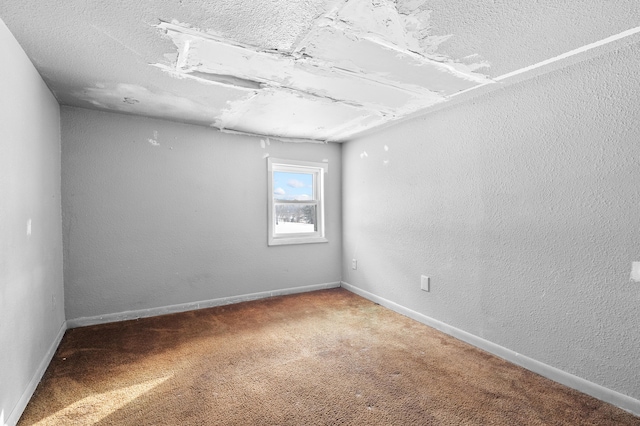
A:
(318, 170)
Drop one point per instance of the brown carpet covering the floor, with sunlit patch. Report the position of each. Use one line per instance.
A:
(322, 358)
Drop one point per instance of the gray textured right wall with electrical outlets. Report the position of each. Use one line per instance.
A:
(522, 207)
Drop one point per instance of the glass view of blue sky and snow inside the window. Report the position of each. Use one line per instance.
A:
(293, 215)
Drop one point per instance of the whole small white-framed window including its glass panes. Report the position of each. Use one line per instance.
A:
(296, 201)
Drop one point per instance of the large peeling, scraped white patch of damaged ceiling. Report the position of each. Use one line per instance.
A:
(360, 64)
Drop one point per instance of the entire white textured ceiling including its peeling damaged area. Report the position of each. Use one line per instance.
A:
(321, 70)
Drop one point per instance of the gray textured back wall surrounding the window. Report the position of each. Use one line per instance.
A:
(157, 213)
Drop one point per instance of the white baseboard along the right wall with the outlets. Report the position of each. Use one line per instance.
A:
(597, 391)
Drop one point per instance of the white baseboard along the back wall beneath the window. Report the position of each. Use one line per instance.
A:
(190, 306)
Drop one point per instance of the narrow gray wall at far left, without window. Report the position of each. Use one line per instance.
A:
(31, 289)
